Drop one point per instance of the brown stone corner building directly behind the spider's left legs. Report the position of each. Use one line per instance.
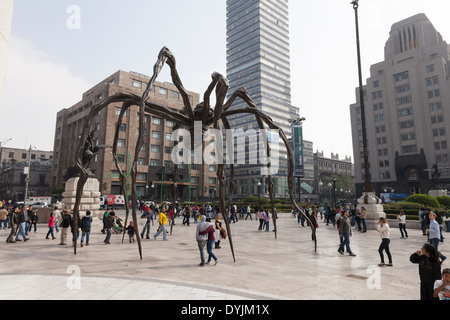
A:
(155, 167)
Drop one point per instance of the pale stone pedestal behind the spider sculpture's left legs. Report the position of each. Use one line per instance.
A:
(90, 199)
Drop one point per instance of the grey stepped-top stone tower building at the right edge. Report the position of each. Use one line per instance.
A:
(407, 103)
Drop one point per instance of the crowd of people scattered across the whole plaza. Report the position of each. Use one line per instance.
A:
(435, 283)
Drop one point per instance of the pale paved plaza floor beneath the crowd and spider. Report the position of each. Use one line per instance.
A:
(286, 268)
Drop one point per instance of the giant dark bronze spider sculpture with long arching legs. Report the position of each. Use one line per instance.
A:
(210, 118)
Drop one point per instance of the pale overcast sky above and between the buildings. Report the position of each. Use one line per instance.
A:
(54, 57)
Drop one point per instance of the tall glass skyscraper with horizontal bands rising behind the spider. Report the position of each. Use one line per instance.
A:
(258, 58)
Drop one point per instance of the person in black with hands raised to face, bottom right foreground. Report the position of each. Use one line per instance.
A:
(429, 269)
